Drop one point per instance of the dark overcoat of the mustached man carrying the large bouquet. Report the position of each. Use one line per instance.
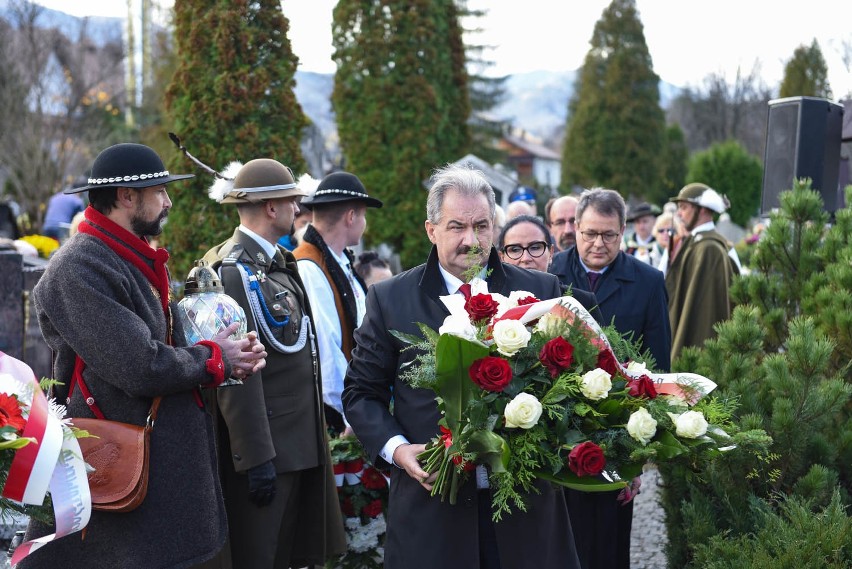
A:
(424, 532)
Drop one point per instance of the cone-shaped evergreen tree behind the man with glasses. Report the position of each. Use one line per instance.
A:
(615, 132)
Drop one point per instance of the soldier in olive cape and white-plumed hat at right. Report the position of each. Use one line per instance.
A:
(699, 278)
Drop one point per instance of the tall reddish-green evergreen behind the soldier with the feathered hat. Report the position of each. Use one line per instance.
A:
(231, 98)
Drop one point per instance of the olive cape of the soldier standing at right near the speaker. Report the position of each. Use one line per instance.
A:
(698, 283)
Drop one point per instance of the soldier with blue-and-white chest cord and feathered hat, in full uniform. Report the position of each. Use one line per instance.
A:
(276, 475)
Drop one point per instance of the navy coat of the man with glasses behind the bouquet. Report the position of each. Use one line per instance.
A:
(631, 295)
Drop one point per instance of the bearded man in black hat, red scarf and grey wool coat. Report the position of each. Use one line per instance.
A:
(103, 307)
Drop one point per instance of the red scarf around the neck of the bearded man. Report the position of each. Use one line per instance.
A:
(132, 249)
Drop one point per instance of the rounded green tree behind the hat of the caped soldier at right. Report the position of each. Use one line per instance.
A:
(730, 170)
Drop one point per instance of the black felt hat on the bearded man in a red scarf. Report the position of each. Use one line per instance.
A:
(128, 165)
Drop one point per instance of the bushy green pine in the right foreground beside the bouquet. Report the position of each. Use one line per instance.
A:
(784, 357)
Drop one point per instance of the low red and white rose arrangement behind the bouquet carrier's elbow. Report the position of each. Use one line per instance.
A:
(363, 493)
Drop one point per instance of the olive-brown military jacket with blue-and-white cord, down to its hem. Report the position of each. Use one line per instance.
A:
(276, 414)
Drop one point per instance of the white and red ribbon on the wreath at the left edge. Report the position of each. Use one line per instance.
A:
(54, 461)
